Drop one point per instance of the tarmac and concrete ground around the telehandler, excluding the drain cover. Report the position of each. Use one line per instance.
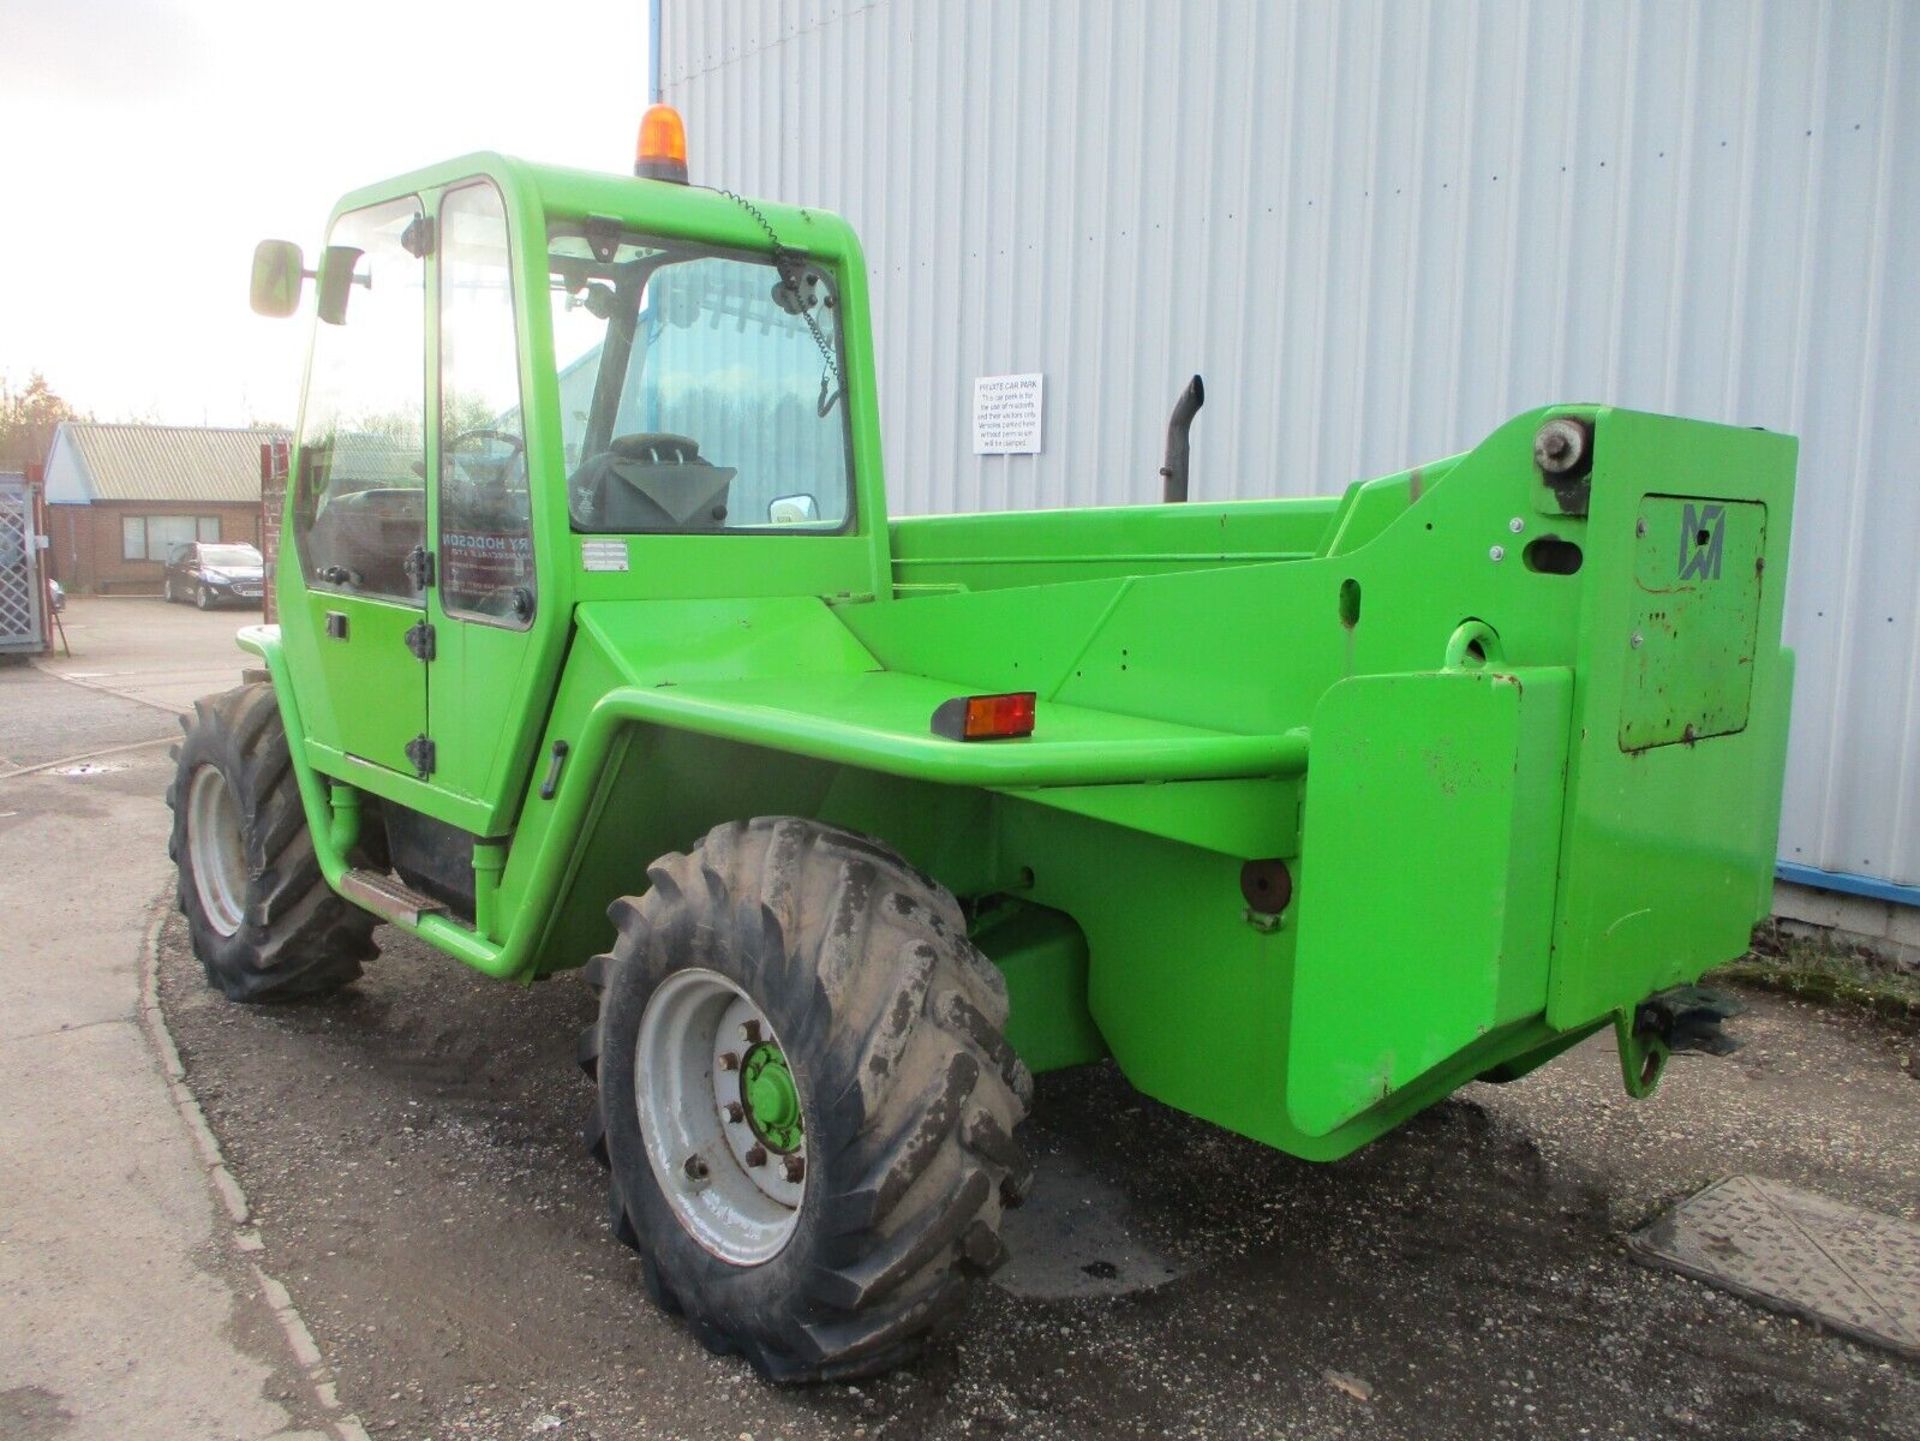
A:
(412, 1173)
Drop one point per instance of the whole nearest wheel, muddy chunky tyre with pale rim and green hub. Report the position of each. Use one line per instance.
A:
(827, 1237)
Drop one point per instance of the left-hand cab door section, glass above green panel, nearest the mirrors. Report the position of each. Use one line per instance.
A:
(352, 590)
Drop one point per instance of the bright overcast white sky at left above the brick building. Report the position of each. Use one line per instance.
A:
(151, 143)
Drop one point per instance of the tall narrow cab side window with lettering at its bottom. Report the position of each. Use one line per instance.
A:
(487, 550)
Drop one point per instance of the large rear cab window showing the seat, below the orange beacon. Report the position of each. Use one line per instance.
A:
(694, 392)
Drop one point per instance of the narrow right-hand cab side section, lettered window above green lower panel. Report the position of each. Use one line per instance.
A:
(487, 596)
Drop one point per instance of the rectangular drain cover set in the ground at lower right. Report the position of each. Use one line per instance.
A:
(1848, 1269)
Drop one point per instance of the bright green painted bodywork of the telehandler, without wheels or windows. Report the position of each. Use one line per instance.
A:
(1500, 830)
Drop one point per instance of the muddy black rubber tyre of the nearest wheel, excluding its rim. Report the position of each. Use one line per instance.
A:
(894, 1026)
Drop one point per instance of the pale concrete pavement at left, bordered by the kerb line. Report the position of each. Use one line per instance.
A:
(126, 1311)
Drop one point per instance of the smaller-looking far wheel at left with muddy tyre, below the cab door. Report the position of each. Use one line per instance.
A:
(264, 922)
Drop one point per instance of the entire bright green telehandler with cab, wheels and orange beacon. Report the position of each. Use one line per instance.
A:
(596, 648)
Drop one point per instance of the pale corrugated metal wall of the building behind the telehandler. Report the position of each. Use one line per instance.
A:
(1378, 231)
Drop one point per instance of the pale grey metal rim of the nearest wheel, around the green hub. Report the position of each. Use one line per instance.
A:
(734, 1194)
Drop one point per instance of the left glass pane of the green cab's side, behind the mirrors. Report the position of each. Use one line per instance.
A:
(362, 488)
